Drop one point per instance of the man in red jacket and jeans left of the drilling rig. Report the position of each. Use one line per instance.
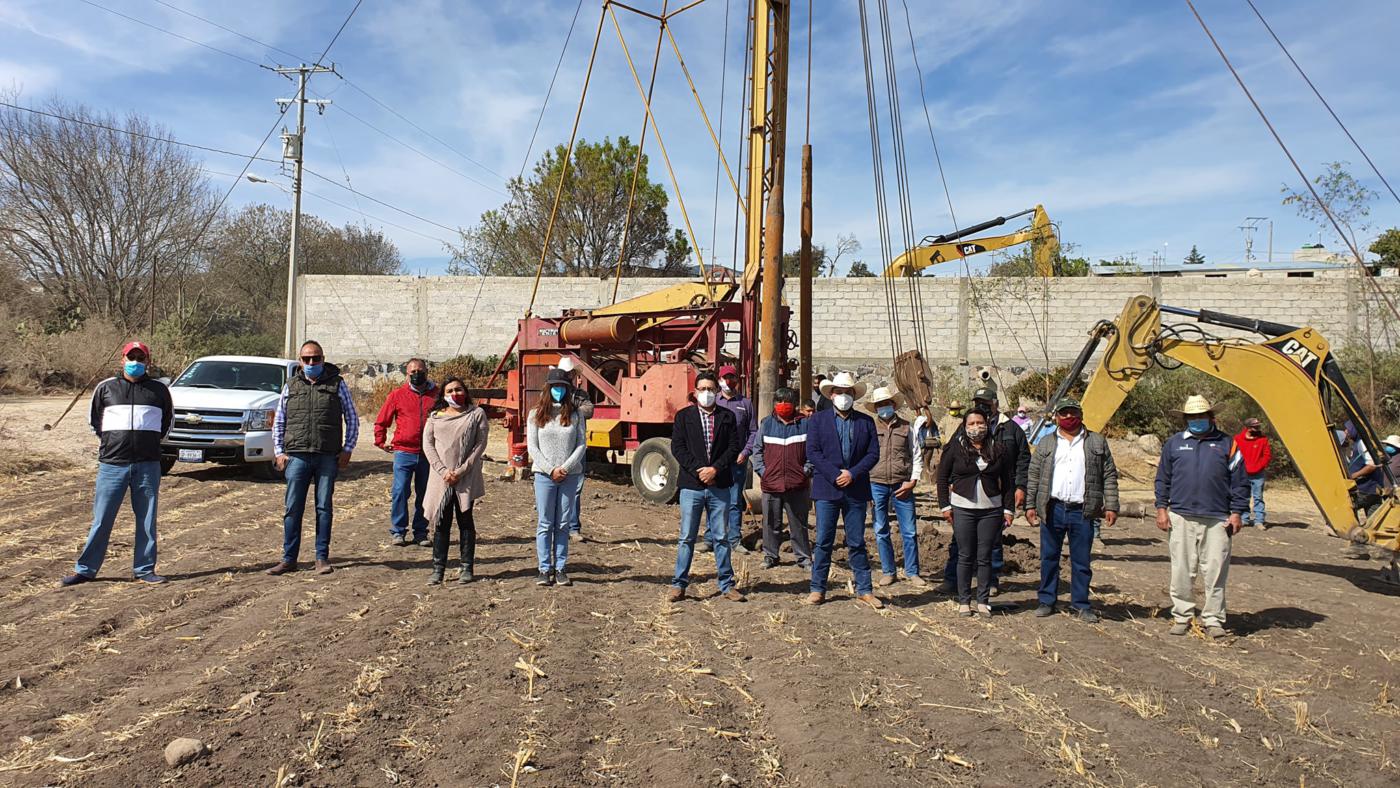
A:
(408, 409)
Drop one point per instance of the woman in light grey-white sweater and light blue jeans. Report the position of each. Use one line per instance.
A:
(556, 442)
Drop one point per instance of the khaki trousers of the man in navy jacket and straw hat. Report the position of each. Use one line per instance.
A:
(1199, 547)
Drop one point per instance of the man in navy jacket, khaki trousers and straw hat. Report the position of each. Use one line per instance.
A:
(1202, 498)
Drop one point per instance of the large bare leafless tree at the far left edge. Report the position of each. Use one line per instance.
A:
(90, 204)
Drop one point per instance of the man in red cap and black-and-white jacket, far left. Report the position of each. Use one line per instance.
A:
(131, 415)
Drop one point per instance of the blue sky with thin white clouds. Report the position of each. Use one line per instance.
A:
(1119, 117)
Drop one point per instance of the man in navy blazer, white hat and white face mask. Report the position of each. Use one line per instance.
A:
(843, 449)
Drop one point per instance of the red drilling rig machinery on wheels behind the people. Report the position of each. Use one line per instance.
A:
(639, 366)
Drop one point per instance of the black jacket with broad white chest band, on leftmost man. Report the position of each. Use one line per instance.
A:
(131, 419)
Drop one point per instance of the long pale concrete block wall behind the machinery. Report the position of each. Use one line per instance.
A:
(1011, 323)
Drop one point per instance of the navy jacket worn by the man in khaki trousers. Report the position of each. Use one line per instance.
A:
(1202, 477)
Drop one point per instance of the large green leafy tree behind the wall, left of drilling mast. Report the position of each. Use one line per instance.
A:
(590, 225)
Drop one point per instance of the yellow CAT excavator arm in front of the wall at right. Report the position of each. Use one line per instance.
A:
(1291, 376)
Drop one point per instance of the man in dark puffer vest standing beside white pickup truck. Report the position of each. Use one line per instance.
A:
(314, 433)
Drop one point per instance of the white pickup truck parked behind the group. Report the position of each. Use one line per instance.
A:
(225, 408)
